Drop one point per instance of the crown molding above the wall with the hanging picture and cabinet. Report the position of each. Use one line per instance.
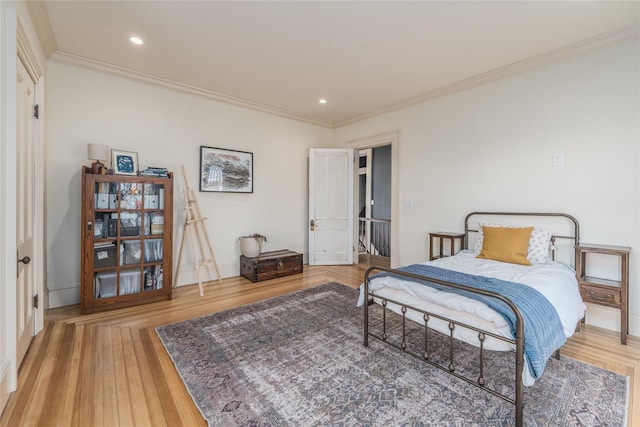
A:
(159, 81)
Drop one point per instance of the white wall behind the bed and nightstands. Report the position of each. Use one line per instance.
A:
(490, 148)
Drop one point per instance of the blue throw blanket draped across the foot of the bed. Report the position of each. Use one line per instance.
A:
(543, 329)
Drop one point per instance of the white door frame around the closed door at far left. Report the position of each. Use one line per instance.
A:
(15, 46)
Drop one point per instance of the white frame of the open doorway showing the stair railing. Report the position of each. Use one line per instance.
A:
(391, 138)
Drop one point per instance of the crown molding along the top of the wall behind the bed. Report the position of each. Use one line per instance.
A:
(583, 47)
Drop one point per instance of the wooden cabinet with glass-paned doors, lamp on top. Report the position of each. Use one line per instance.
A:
(126, 240)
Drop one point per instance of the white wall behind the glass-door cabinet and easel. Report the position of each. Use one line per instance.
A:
(166, 128)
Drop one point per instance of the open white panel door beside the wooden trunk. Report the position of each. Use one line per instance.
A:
(331, 173)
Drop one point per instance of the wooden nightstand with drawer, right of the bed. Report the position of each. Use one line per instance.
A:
(609, 293)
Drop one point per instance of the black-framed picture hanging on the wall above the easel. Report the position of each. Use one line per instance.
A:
(223, 170)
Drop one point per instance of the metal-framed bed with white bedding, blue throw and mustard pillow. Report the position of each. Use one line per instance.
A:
(515, 295)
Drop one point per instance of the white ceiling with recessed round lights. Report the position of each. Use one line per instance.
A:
(363, 57)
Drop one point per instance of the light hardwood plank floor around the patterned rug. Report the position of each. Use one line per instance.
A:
(110, 369)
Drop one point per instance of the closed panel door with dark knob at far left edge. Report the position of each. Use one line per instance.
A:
(25, 210)
